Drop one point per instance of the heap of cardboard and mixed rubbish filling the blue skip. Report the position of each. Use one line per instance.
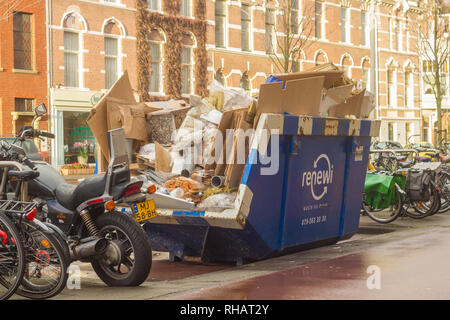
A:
(196, 152)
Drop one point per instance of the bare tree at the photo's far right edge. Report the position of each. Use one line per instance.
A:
(433, 48)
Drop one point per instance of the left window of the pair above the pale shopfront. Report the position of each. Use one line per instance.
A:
(71, 51)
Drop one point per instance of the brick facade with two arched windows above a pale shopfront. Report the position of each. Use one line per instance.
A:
(91, 44)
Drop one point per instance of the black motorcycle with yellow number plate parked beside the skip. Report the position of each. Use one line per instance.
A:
(96, 231)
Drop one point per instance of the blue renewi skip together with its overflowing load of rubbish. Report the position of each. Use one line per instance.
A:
(237, 178)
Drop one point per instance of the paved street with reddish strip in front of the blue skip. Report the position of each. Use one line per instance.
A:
(407, 259)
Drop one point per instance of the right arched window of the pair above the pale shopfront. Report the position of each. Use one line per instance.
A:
(112, 33)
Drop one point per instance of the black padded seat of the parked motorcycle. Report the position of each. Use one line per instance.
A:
(71, 196)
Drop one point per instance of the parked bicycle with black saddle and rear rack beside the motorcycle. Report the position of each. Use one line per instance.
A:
(46, 253)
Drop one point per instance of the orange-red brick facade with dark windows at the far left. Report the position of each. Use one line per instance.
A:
(23, 63)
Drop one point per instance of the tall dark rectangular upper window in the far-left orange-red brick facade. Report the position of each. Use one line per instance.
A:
(23, 45)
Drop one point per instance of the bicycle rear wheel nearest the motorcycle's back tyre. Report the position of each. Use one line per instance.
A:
(46, 269)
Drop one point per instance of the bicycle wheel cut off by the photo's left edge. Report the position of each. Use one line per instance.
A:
(12, 258)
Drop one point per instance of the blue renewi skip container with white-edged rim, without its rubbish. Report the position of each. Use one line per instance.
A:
(312, 199)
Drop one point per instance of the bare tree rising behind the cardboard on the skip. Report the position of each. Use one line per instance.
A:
(295, 33)
